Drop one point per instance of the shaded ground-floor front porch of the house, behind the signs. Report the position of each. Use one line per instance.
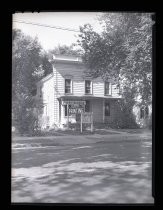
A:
(104, 109)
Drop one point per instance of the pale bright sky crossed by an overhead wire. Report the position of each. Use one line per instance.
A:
(51, 37)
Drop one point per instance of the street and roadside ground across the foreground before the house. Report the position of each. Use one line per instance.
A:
(77, 169)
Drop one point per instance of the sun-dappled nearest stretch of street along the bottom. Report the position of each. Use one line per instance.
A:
(73, 181)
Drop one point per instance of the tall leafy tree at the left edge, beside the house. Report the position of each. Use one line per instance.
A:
(26, 71)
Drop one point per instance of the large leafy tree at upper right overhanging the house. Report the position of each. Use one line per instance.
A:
(123, 51)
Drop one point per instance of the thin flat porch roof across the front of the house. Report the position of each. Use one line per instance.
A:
(85, 97)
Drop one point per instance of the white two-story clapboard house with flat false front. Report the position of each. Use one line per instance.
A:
(68, 82)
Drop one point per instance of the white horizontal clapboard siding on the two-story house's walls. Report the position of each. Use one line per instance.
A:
(54, 88)
